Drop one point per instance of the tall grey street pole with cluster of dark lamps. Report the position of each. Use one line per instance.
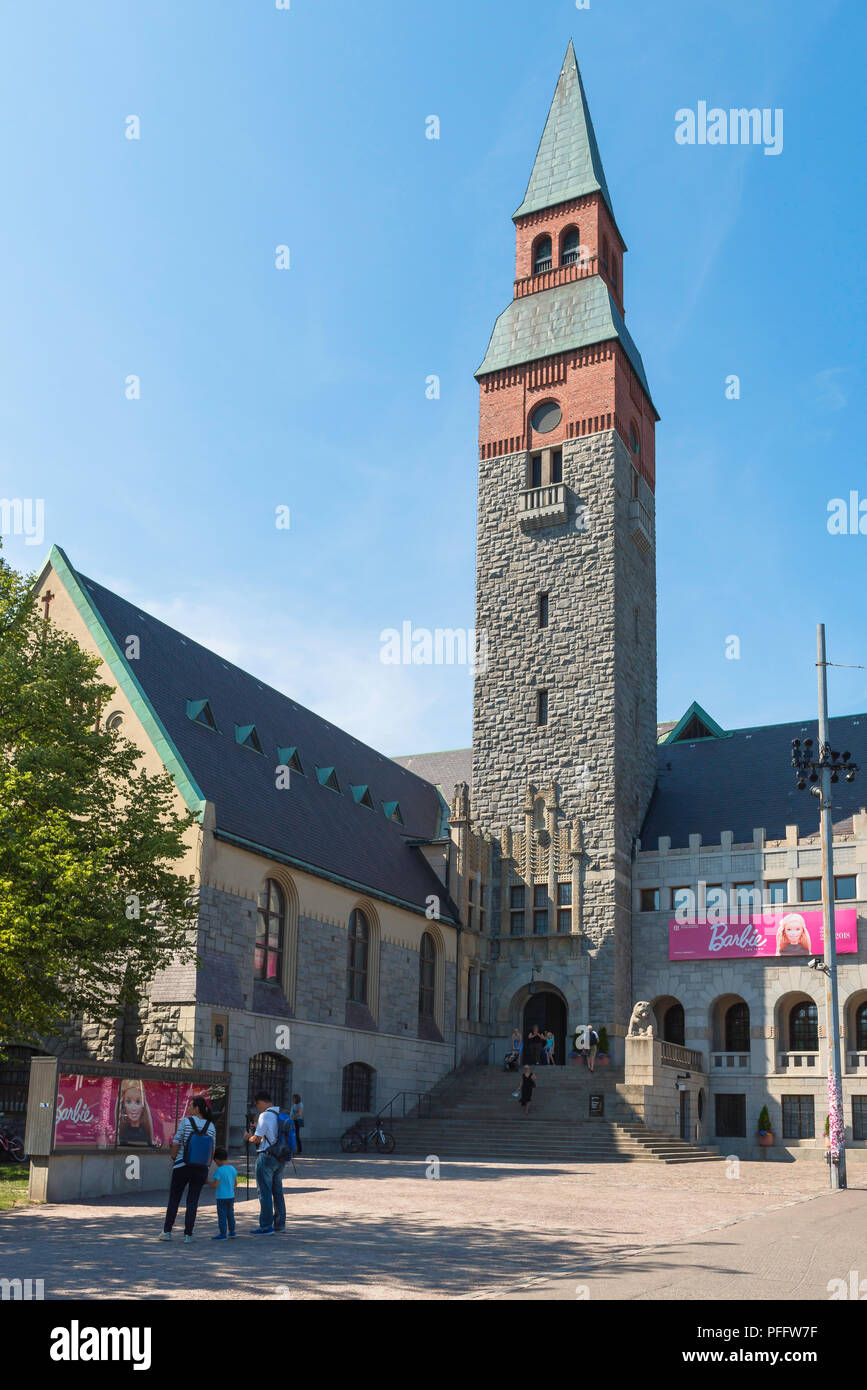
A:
(823, 768)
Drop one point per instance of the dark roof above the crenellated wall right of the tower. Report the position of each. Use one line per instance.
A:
(745, 782)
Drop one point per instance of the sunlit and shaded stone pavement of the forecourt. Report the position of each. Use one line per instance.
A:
(376, 1228)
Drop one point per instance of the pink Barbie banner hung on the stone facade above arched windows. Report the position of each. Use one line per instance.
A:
(765, 935)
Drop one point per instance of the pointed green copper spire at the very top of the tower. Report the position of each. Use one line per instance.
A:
(568, 161)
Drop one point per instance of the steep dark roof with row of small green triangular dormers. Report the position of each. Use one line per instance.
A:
(308, 824)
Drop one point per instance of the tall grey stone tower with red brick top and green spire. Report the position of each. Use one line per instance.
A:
(565, 721)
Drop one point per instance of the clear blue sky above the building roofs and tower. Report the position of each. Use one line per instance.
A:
(306, 387)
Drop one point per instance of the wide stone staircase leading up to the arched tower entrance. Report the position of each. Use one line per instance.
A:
(473, 1117)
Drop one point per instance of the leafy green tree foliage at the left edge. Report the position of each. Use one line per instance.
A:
(90, 903)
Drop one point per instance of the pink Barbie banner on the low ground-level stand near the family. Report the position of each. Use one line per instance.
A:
(112, 1113)
